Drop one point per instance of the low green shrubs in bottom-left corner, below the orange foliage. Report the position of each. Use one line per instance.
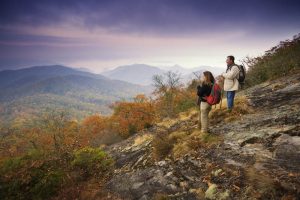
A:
(40, 175)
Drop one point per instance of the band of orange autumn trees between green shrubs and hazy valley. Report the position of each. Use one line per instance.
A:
(56, 131)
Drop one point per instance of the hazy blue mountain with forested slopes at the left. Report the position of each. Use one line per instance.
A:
(28, 91)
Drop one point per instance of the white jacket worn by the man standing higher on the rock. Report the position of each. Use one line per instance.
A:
(231, 83)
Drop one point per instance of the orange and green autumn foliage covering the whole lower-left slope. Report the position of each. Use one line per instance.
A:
(55, 152)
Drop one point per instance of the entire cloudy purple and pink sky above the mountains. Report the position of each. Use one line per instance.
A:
(104, 34)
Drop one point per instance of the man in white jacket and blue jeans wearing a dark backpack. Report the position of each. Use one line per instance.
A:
(231, 84)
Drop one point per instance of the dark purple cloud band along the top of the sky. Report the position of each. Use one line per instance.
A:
(155, 16)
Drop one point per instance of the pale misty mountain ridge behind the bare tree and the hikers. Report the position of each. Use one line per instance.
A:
(142, 74)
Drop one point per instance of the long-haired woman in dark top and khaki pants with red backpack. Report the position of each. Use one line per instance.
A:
(206, 97)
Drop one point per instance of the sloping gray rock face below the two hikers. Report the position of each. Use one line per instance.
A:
(260, 155)
